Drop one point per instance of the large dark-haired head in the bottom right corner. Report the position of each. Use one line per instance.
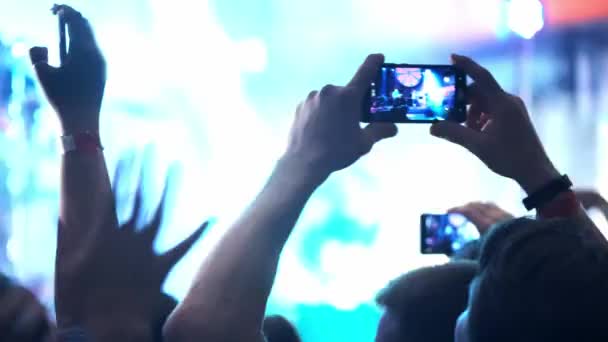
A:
(540, 280)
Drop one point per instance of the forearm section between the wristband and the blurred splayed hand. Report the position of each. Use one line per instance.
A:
(86, 192)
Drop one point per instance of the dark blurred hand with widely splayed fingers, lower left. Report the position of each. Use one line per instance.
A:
(113, 277)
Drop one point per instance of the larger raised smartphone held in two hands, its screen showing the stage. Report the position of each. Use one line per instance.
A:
(416, 93)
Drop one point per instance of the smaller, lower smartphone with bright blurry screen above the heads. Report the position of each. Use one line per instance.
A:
(445, 234)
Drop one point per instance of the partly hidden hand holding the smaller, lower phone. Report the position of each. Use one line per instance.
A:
(482, 215)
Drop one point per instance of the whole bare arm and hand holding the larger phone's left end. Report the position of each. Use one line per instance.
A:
(238, 274)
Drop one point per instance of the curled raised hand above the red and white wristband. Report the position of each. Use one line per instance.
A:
(75, 89)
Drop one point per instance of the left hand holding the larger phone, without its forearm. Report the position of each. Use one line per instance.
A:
(326, 135)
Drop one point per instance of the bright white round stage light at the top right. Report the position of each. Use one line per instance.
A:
(525, 17)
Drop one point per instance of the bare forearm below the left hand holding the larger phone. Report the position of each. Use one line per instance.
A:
(228, 298)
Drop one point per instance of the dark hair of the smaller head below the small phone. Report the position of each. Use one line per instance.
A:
(428, 301)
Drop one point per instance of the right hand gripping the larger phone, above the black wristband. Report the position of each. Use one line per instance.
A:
(499, 131)
